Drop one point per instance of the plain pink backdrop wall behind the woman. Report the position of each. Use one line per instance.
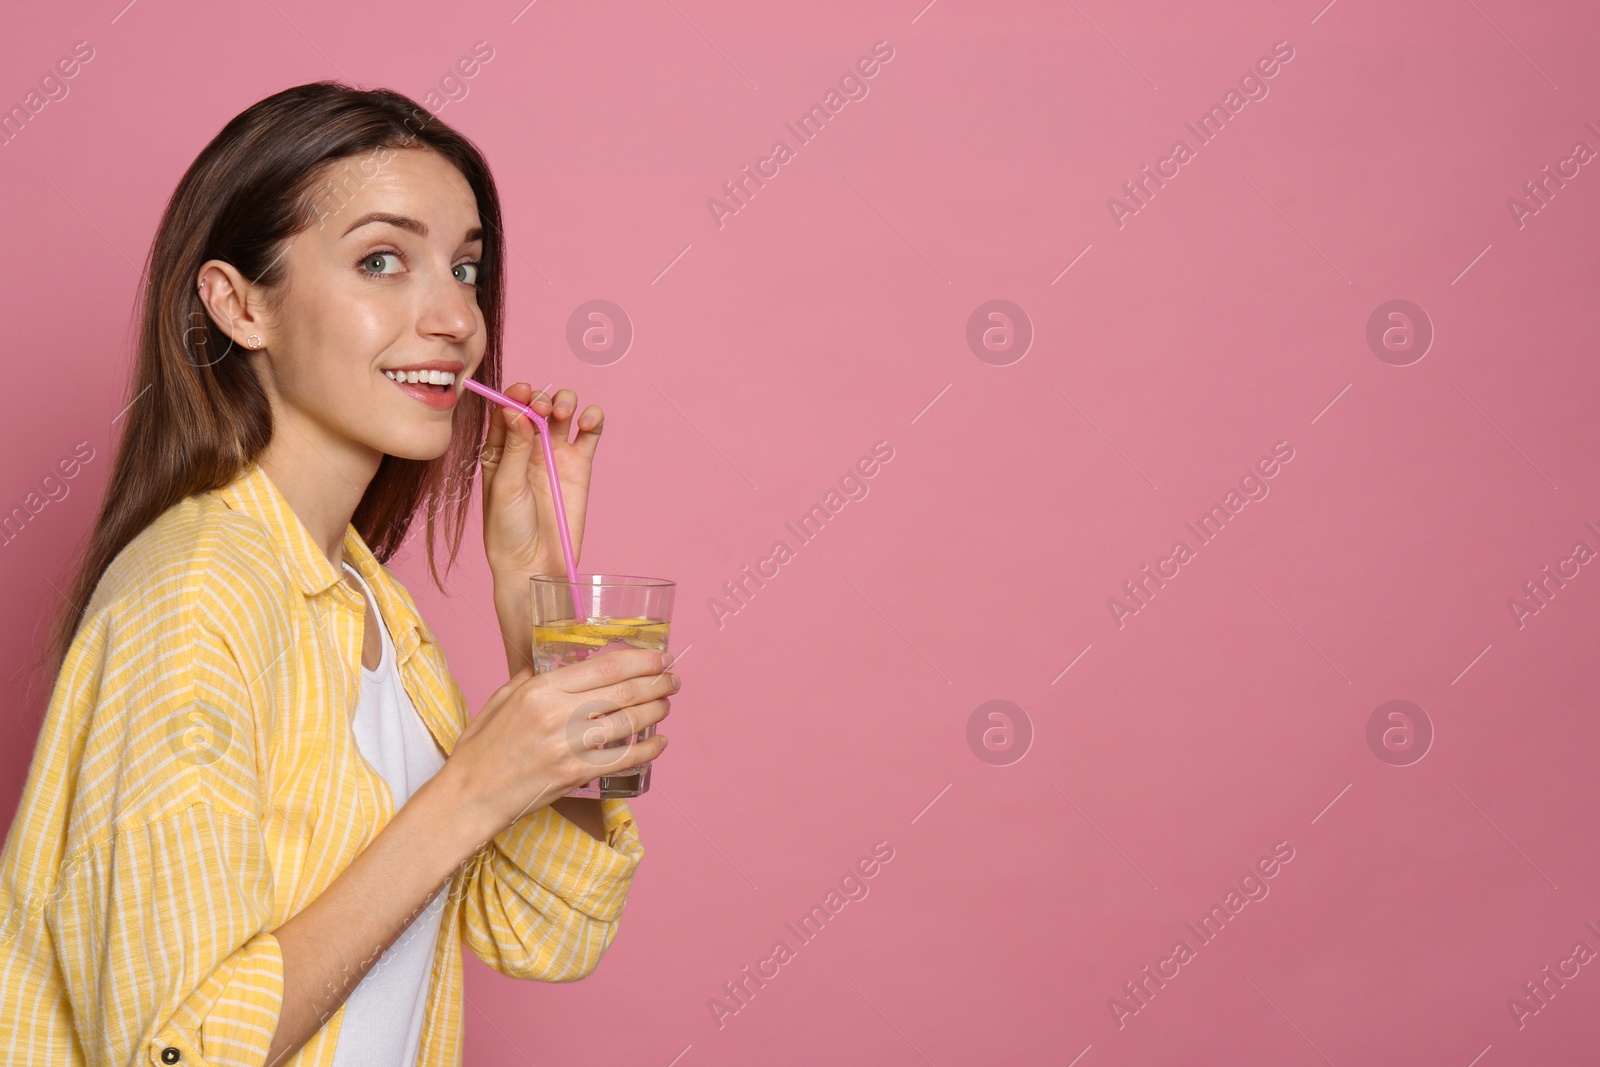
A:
(831, 313)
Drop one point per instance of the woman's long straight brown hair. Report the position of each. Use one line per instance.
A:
(198, 415)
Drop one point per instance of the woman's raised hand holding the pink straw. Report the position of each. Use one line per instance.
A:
(521, 533)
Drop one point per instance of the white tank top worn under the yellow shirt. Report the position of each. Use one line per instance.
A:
(383, 1015)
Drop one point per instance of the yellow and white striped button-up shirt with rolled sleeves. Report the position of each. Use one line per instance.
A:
(198, 783)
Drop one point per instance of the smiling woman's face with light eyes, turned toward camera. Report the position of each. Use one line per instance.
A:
(383, 284)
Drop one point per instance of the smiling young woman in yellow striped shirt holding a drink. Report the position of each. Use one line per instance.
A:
(262, 820)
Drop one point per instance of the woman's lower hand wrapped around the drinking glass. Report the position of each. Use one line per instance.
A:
(542, 737)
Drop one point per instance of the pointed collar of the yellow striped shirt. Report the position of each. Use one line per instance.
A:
(255, 495)
